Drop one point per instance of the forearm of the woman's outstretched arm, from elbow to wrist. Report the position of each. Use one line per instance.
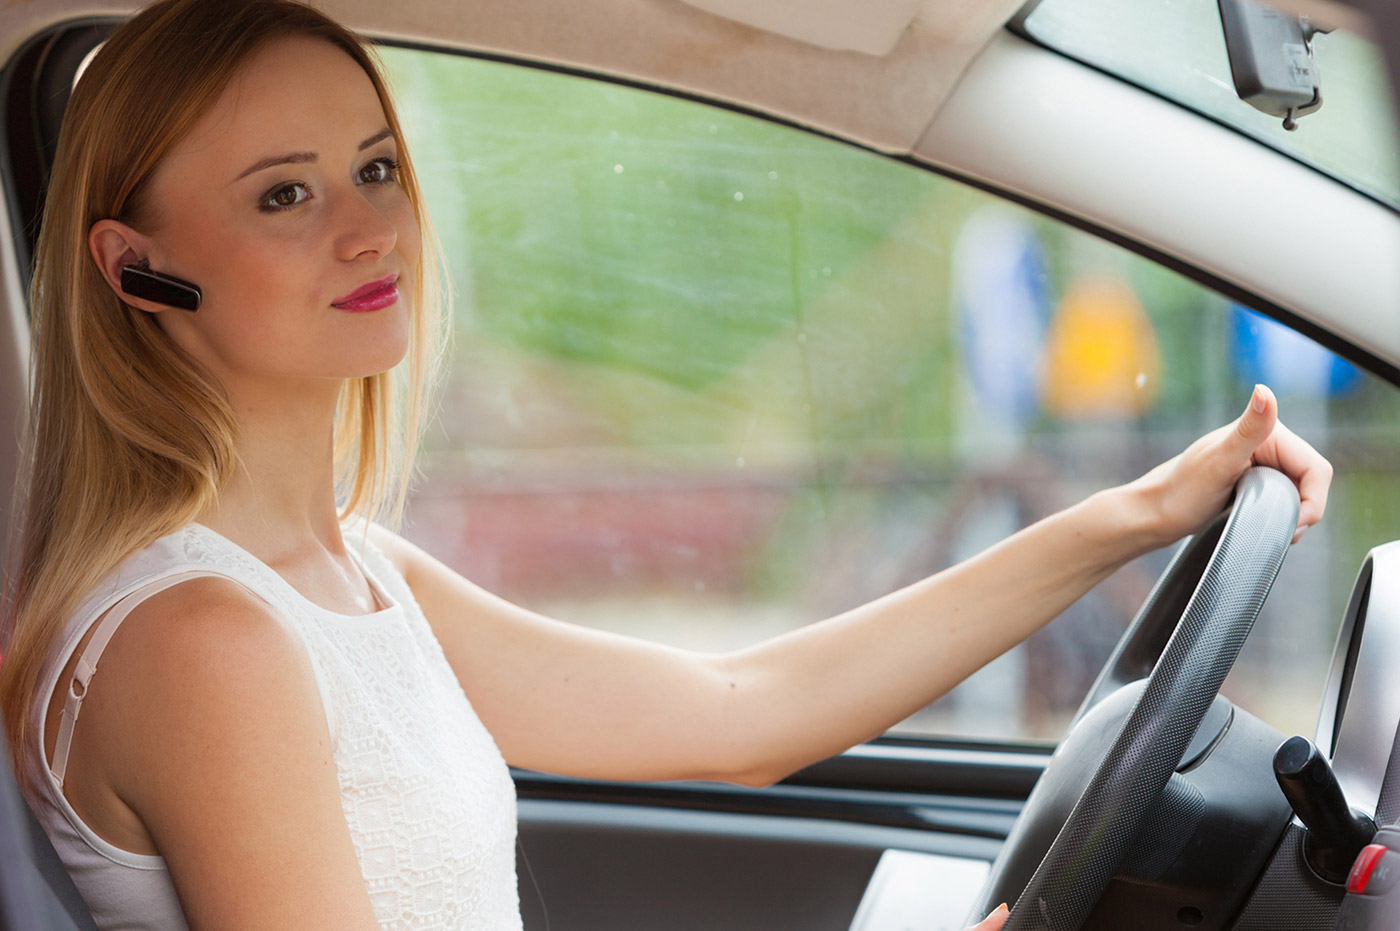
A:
(880, 663)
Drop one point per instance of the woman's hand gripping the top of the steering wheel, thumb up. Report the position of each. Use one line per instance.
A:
(1191, 489)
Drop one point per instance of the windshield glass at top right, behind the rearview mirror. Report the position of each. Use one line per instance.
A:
(1177, 48)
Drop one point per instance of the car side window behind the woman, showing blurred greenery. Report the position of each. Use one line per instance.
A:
(715, 379)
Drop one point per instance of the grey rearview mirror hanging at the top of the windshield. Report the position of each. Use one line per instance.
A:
(1272, 59)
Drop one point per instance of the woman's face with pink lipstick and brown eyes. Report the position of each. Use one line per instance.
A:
(283, 204)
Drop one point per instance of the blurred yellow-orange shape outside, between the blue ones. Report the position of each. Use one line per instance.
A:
(1101, 355)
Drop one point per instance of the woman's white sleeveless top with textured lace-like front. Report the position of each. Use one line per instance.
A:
(428, 797)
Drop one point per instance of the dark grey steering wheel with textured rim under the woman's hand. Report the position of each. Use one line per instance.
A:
(1133, 736)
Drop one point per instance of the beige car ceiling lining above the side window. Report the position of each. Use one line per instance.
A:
(874, 72)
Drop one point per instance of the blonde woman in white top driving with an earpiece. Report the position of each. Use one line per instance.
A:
(279, 736)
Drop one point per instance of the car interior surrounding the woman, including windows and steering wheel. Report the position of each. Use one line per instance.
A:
(768, 309)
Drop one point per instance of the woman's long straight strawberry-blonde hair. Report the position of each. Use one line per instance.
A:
(128, 437)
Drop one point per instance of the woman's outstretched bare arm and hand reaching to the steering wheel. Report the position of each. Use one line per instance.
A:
(586, 703)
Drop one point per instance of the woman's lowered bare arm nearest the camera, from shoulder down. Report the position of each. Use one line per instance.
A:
(211, 727)
